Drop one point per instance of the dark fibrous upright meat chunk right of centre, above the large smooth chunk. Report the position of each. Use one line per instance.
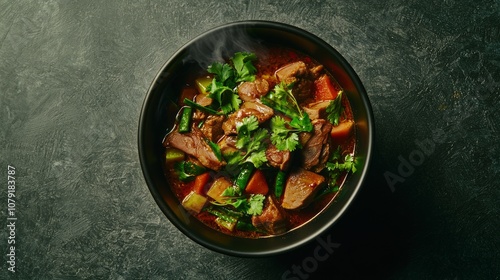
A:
(316, 150)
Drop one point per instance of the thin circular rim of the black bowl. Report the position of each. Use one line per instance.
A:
(280, 27)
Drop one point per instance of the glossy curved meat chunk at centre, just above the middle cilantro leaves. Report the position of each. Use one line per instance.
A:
(259, 110)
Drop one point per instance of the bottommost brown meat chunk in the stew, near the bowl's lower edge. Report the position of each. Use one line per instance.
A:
(272, 219)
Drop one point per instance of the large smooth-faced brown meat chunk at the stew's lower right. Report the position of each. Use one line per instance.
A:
(301, 186)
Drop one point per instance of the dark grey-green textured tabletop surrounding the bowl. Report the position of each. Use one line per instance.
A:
(73, 76)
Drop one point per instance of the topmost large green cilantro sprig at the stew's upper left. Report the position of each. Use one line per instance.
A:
(223, 87)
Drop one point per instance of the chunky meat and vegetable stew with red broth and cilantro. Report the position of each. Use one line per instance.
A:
(261, 143)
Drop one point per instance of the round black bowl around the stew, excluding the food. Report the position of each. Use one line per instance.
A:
(219, 43)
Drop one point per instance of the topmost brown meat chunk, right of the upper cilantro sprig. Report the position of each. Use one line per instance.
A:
(301, 77)
